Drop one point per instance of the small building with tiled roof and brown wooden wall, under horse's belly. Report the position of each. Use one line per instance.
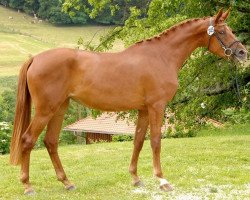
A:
(101, 129)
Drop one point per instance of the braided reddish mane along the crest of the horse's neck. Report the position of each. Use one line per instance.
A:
(172, 29)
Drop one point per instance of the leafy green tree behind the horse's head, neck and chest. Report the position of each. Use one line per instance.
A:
(207, 83)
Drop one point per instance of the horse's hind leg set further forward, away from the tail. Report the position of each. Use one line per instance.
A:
(51, 143)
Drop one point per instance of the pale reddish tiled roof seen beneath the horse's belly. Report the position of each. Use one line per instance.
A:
(105, 124)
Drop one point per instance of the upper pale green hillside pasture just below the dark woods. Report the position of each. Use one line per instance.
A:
(58, 35)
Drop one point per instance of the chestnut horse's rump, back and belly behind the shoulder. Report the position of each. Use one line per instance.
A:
(99, 80)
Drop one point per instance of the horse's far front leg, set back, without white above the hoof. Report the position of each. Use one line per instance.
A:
(141, 129)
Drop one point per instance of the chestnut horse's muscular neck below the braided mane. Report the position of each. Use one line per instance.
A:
(178, 44)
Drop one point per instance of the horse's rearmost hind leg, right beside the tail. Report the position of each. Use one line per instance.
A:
(28, 142)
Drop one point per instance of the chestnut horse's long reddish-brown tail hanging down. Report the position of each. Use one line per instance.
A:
(22, 115)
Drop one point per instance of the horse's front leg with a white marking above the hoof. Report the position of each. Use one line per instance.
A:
(156, 113)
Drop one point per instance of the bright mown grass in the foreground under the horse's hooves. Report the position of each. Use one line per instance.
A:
(210, 167)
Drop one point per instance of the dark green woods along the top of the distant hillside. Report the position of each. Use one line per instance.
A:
(78, 12)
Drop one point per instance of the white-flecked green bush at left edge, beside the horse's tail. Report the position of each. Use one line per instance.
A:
(5, 136)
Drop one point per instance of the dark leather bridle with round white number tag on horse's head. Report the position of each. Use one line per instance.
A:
(227, 50)
